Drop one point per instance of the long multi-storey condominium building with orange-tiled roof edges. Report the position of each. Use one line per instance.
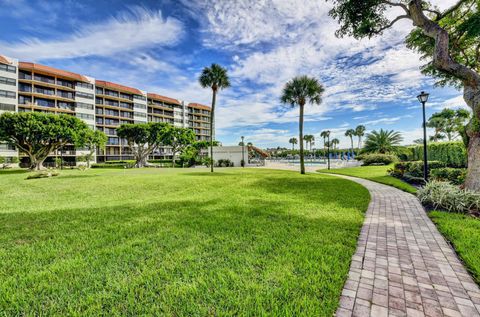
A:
(102, 105)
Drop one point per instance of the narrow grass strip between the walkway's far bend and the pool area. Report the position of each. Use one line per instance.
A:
(374, 173)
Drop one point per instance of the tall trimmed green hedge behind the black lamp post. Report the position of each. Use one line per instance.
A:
(453, 154)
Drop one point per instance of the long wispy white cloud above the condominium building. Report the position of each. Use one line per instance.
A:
(138, 28)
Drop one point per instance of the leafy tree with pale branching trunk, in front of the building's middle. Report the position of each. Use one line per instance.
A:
(143, 138)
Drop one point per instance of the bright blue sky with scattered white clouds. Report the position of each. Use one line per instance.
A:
(161, 46)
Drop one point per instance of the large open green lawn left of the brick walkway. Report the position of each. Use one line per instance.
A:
(176, 242)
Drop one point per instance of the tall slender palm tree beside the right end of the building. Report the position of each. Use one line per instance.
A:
(214, 77)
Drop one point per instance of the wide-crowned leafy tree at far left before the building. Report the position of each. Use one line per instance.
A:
(37, 135)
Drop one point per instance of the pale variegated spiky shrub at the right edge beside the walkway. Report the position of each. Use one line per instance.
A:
(445, 196)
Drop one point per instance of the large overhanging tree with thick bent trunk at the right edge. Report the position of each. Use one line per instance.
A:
(448, 40)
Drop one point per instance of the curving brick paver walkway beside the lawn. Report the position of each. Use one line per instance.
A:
(403, 266)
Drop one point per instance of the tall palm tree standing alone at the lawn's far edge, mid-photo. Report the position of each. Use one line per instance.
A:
(299, 91)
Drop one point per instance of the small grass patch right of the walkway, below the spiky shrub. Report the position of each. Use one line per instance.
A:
(464, 233)
